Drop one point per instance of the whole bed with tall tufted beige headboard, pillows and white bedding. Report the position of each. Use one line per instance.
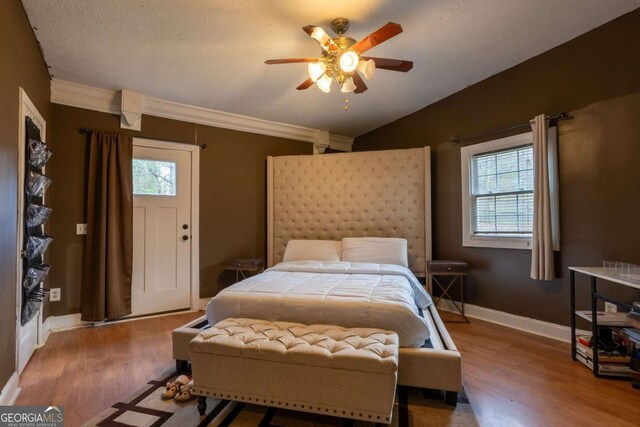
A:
(342, 203)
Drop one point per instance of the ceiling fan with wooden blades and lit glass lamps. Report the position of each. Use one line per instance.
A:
(342, 57)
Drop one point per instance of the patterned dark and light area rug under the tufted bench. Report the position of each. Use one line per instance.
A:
(145, 408)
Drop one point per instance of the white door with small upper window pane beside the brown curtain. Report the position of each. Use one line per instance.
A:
(161, 230)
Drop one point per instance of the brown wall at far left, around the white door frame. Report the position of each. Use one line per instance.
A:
(22, 65)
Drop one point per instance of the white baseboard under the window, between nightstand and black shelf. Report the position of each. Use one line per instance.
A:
(525, 324)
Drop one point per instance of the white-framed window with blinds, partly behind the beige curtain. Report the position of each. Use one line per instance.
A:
(497, 192)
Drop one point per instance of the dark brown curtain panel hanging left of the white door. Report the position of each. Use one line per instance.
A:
(108, 258)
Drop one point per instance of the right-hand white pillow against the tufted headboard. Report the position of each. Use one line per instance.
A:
(381, 250)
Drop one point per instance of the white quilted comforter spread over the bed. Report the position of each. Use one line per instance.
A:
(348, 294)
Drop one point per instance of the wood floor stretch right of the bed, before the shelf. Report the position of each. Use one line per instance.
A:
(517, 379)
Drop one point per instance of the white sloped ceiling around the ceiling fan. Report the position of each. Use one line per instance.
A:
(211, 53)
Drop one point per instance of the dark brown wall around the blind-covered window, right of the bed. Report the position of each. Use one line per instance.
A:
(595, 78)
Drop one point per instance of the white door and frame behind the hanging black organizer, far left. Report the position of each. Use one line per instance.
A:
(28, 335)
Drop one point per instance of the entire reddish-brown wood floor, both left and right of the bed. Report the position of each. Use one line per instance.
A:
(511, 378)
